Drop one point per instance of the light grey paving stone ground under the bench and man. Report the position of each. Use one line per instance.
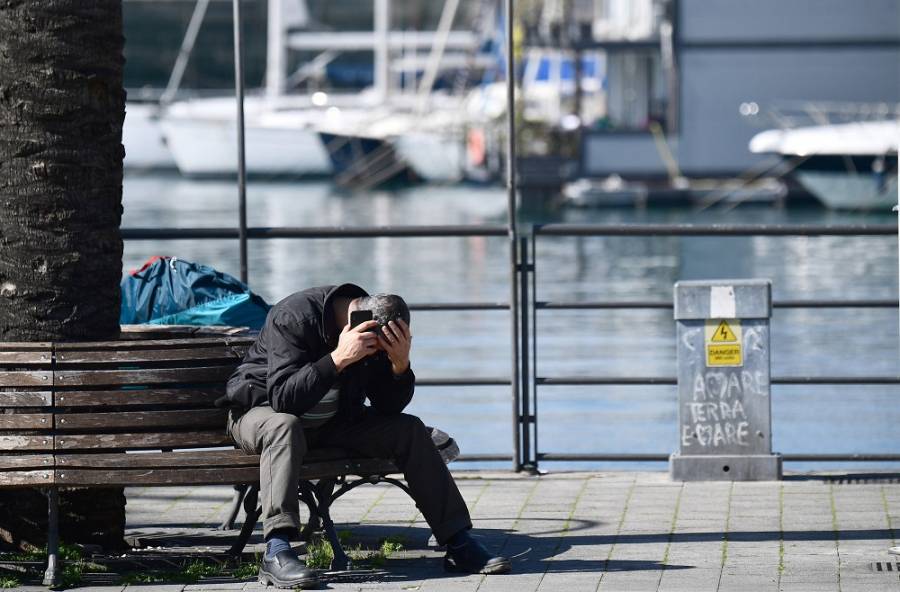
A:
(623, 531)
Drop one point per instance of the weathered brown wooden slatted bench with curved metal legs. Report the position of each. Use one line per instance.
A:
(139, 412)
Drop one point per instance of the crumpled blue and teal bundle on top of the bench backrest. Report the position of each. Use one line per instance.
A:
(170, 291)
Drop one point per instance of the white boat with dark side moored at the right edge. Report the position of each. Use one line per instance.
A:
(845, 165)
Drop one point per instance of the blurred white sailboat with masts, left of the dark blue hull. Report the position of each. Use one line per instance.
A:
(282, 129)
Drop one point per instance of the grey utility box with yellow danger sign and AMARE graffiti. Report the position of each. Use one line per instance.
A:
(724, 407)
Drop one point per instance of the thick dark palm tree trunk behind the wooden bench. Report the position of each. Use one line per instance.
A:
(61, 112)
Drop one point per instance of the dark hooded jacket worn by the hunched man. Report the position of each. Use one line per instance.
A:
(289, 367)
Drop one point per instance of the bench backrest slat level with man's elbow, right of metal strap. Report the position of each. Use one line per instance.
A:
(144, 377)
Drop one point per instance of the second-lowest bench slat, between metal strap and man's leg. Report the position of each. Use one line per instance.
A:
(206, 458)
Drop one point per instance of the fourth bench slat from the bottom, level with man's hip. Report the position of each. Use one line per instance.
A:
(138, 420)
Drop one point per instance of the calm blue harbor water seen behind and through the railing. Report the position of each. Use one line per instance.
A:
(633, 343)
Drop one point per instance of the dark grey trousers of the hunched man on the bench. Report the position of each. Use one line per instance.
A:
(282, 442)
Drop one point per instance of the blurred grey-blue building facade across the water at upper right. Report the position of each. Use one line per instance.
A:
(760, 54)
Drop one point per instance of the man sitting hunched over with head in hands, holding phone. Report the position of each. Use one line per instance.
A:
(302, 385)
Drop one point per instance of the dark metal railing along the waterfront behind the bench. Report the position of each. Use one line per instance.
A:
(524, 380)
